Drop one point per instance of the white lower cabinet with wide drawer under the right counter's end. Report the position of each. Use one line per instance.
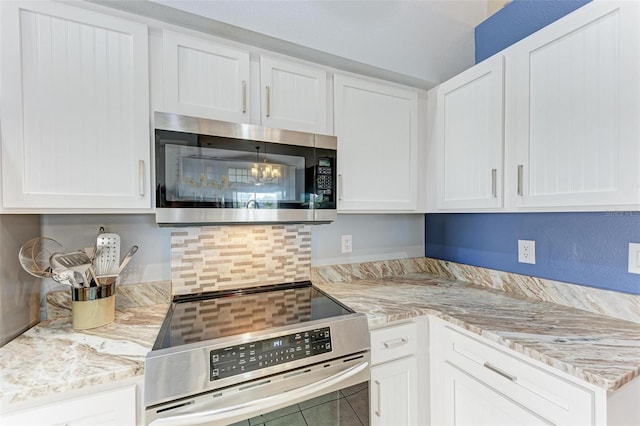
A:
(474, 382)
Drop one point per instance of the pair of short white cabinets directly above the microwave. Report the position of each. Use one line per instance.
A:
(203, 78)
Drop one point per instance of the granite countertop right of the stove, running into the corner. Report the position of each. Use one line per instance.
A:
(598, 349)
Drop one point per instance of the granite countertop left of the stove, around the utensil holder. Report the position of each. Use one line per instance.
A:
(52, 358)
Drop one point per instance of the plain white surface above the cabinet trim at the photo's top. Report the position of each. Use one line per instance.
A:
(429, 40)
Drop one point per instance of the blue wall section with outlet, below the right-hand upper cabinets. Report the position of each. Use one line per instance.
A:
(582, 248)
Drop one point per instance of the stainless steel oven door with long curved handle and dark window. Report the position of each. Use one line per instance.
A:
(335, 392)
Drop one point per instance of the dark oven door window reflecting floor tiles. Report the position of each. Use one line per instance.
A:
(346, 407)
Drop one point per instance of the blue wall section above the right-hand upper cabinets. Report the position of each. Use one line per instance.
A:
(517, 20)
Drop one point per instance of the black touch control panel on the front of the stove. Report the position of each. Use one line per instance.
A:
(252, 356)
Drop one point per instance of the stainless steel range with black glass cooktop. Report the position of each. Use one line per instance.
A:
(229, 356)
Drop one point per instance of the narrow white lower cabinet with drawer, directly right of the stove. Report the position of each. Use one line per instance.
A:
(394, 375)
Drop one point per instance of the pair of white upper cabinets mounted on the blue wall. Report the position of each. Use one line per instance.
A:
(571, 129)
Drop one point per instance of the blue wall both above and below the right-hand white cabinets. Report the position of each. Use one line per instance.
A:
(582, 248)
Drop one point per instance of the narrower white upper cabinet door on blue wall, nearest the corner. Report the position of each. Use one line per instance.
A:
(470, 138)
